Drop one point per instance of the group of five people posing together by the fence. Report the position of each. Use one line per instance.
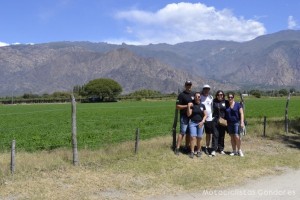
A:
(200, 113)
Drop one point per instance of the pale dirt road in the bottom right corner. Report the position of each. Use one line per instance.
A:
(285, 186)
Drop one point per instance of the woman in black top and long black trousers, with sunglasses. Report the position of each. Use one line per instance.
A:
(219, 107)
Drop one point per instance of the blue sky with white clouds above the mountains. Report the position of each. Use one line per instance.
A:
(143, 21)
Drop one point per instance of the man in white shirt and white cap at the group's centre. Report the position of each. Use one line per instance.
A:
(207, 100)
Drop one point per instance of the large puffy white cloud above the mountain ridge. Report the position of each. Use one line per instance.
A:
(182, 22)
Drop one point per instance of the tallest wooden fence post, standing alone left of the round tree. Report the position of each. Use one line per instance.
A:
(74, 132)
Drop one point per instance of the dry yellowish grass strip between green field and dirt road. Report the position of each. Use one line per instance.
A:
(117, 173)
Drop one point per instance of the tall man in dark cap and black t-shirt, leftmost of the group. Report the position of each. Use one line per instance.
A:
(183, 99)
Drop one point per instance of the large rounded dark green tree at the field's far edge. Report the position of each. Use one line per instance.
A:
(103, 88)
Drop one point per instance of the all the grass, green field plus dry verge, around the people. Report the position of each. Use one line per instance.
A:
(108, 167)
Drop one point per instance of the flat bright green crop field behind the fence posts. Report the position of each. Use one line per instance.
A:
(48, 126)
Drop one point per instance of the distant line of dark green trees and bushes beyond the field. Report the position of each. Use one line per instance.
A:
(108, 90)
